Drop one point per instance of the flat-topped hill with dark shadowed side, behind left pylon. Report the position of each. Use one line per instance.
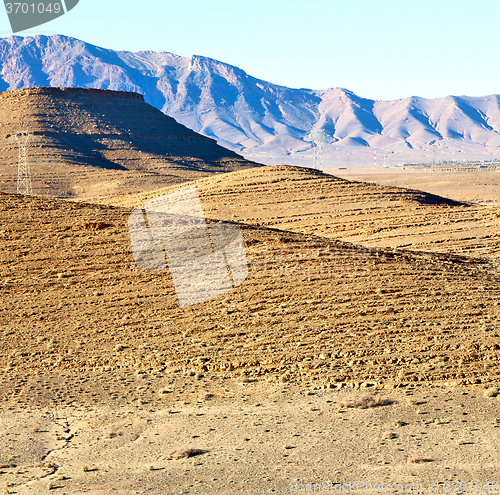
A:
(91, 143)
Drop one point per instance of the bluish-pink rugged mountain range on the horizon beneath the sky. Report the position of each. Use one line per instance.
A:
(260, 120)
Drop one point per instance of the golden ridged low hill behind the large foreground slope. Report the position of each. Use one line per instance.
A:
(313, 203)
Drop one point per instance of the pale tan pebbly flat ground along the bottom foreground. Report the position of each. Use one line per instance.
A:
(252, 437)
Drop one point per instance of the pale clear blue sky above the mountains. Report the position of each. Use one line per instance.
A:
(383, 49)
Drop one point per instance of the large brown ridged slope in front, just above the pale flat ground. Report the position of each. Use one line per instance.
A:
(313, 310)
